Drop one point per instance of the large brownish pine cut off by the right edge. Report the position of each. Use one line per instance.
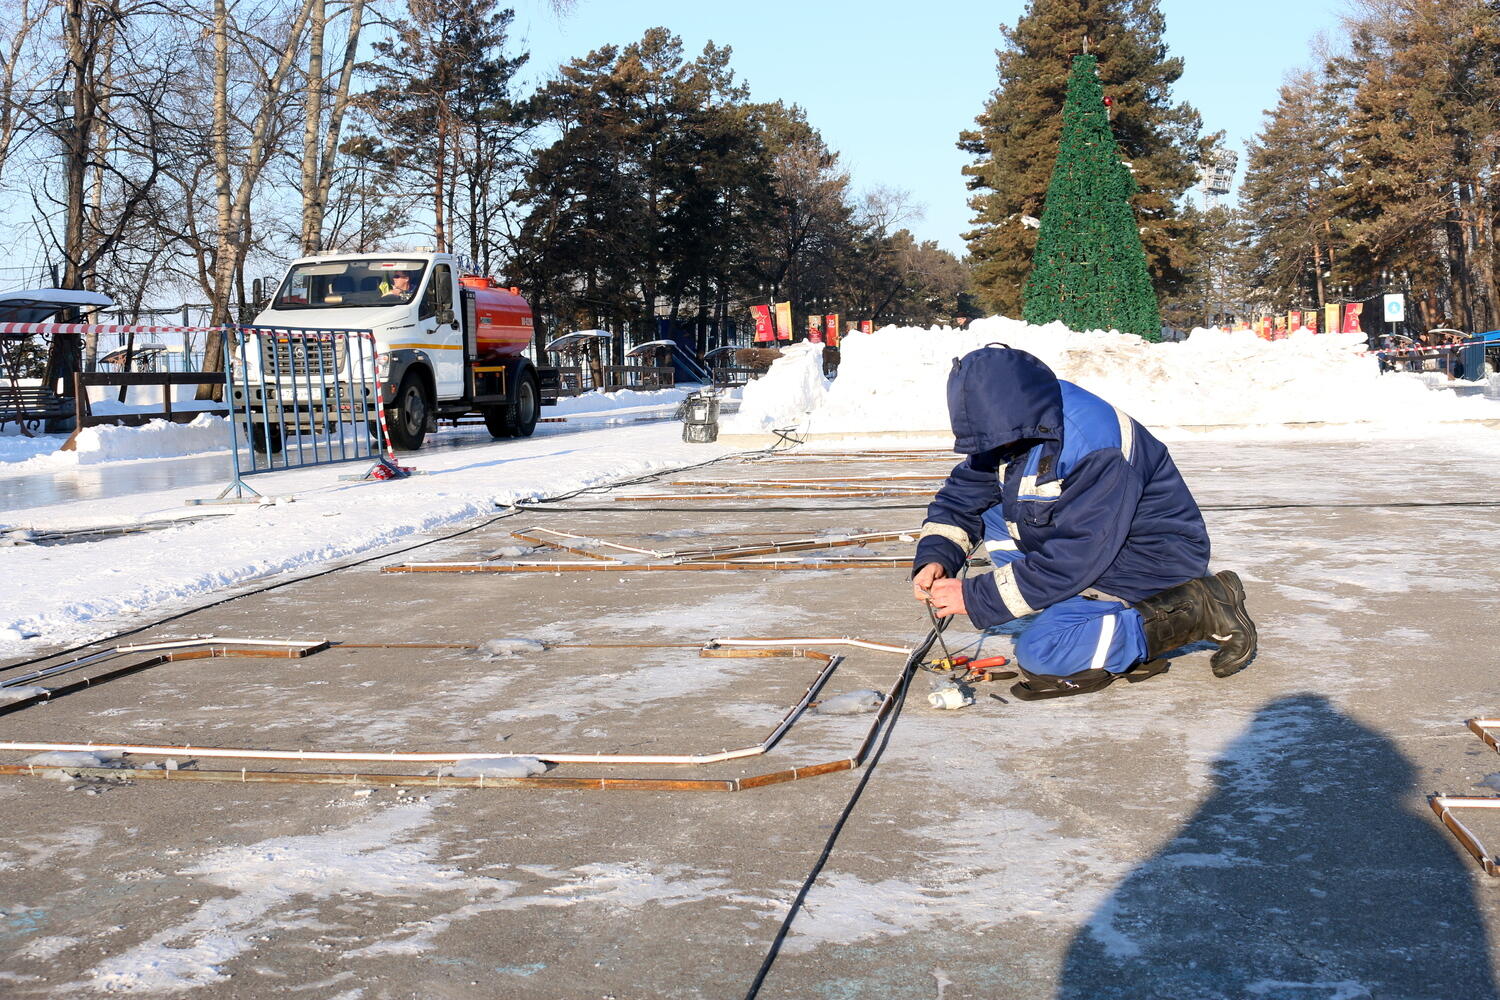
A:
(1421, 152)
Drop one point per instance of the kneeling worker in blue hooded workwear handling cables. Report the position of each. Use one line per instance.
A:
(1087, 521)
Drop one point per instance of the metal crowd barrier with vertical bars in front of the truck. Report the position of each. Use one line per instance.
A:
(301, 398)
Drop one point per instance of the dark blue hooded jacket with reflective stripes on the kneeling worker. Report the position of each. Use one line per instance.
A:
(1067, 493)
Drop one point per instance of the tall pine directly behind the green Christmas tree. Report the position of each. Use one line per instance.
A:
(1018, 137)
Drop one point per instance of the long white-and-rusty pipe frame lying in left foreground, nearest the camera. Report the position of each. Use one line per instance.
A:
(719, 648)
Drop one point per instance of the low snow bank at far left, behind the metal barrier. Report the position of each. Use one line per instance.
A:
(95, 446)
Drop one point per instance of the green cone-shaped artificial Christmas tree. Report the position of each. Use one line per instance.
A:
(1090, 269)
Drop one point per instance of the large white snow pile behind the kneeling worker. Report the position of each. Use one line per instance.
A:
(895, 380)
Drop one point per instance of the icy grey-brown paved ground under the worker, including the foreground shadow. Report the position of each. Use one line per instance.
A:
(1264, 836)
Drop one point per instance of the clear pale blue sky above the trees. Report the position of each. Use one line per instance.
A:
(892, 85)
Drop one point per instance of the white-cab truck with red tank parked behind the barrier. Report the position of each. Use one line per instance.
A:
(446, 343)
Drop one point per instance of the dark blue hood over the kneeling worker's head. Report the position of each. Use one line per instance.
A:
(1000, 397)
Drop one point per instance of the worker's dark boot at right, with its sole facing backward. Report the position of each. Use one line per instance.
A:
(1208, 609)
